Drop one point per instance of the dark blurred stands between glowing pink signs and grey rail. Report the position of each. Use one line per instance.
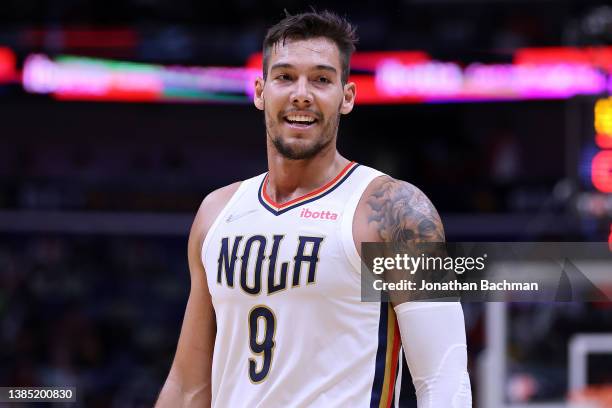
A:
(468, 158)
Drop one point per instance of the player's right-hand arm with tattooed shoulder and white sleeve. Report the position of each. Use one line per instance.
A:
(433, 333)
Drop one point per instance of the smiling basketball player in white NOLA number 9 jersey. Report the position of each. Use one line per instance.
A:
(274, 316)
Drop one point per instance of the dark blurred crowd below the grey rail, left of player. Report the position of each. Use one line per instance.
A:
(101, 315)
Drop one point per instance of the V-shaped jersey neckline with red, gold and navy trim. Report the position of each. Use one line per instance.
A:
(278, 209)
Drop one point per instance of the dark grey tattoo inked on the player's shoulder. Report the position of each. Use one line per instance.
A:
(402, 213)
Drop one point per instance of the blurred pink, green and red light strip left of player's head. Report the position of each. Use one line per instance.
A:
(79, 78)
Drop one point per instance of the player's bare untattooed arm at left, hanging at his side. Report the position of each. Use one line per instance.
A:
(189, 381)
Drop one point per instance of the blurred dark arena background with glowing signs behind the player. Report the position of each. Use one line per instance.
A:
(118, 117)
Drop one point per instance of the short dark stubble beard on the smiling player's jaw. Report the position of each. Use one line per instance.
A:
(292, 152)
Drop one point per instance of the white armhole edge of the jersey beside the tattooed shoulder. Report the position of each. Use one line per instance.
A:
(346, 227)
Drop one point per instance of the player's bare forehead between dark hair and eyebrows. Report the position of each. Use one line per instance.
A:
(306, 53)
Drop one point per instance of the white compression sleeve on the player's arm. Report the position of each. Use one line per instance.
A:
(433, 337)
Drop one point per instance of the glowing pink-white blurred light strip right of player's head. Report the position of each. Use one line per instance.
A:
(437, 82)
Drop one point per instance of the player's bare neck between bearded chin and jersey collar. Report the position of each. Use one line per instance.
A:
(289, 179)
